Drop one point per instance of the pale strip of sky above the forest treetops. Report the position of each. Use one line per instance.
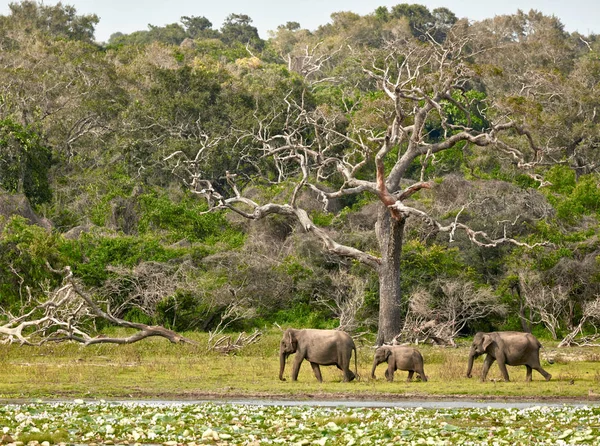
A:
(127, 16)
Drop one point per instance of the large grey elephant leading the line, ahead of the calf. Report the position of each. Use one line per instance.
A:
(319, 347)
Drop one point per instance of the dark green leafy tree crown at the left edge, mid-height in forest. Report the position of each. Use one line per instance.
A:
(24, 162)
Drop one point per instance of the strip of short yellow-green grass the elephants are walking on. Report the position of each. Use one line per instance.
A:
(154, 368)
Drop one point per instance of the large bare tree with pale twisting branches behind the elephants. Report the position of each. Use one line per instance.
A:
(391, 136)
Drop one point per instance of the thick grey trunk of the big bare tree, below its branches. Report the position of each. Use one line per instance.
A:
(390, 234)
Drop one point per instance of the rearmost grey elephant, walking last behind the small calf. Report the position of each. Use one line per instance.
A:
(507, 347)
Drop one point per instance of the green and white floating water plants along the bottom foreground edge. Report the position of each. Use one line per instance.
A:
(205, 423)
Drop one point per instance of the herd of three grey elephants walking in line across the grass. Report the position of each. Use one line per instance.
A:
(333, 347)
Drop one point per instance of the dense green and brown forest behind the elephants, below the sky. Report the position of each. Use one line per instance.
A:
(405, 173)
